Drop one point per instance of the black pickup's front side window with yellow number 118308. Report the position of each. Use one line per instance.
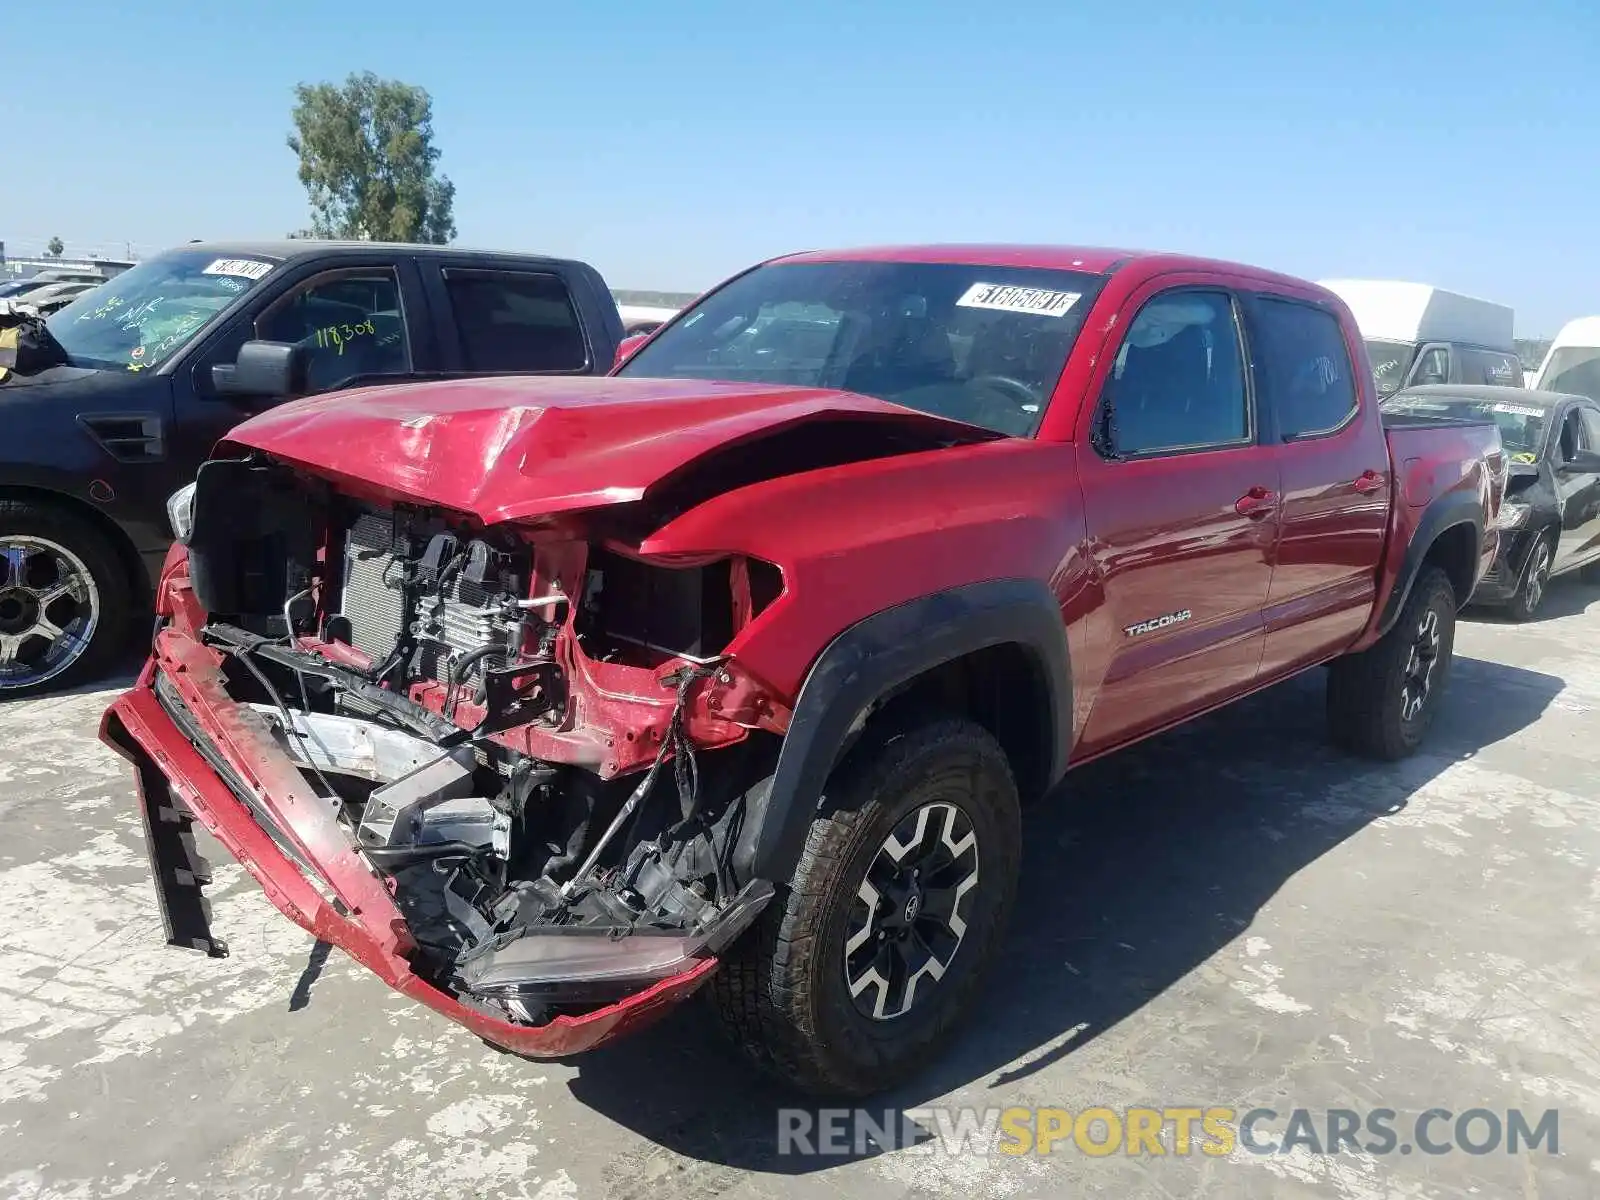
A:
(351, 321)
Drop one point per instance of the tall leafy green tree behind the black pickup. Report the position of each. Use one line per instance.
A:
(367, 159)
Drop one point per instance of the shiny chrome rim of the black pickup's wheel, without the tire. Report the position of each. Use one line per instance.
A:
(49, 610)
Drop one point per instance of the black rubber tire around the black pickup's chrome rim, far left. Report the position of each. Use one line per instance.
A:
(33, 519)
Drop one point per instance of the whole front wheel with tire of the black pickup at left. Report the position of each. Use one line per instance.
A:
(63, 599)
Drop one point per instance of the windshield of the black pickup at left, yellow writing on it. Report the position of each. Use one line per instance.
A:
(146, 314)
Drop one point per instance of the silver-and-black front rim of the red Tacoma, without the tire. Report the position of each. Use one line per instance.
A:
(910, 916)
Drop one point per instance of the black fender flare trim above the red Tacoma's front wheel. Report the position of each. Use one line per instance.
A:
(873, 660)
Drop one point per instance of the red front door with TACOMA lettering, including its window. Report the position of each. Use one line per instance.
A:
(1182, 503)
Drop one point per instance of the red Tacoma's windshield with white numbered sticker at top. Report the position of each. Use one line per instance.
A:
(978, 345)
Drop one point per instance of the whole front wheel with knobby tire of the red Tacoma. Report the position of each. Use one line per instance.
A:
(860, 972)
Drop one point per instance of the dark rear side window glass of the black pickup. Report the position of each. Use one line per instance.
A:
(516, 322)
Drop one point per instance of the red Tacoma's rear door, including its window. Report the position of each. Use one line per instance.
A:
(1334, 463)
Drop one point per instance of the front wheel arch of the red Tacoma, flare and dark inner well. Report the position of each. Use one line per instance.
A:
(996, 652)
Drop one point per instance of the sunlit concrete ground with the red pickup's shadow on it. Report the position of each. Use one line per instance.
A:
(1230, 916)
